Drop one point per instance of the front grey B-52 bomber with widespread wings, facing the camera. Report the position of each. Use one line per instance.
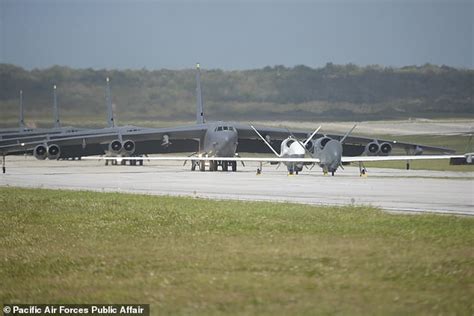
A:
(209, 141)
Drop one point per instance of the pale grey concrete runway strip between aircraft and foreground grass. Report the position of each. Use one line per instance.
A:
(389, 189)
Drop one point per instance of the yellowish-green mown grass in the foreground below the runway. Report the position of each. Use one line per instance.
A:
(194, 256)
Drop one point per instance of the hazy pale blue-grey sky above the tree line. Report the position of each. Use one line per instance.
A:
(232, 34)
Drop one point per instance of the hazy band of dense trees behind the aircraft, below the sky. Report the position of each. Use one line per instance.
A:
(298, 93)
